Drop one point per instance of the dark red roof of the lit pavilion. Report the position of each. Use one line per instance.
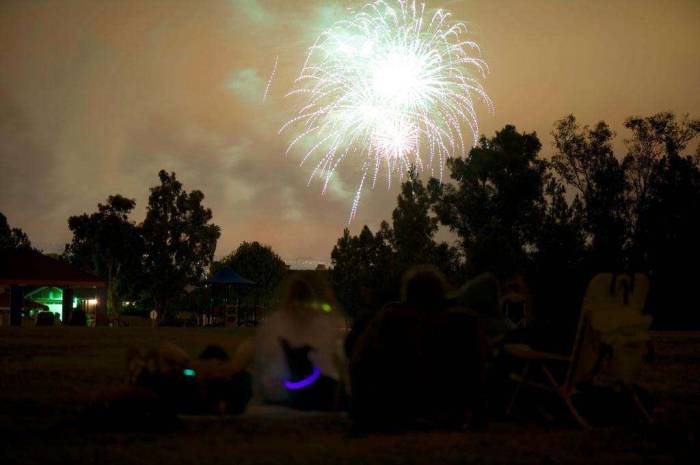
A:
(30, 268)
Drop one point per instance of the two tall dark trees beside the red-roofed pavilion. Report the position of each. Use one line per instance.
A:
(151, 262)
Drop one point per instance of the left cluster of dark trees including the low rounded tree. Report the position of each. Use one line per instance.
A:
(162, 262)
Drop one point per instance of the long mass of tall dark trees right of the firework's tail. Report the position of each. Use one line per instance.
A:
(555, 222)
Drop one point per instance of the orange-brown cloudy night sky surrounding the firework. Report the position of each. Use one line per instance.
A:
(97, 96)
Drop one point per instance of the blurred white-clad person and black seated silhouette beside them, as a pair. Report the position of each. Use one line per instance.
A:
(418, 362)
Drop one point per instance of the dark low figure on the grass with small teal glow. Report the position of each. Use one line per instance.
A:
(164, 382)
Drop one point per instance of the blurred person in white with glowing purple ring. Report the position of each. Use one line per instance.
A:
(298, 359)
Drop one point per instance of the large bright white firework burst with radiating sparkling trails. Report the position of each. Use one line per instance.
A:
(390, 87)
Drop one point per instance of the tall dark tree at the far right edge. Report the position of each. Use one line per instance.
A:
(666, 214)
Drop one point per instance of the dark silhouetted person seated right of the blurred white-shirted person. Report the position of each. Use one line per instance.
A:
(420, 362)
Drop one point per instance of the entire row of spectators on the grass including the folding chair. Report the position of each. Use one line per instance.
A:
(436, 358)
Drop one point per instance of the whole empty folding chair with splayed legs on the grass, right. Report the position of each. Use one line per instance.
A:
(612, 304)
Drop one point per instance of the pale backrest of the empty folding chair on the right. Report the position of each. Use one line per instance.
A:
(611, 323)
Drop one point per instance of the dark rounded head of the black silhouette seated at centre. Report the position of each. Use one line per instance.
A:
(423, 286)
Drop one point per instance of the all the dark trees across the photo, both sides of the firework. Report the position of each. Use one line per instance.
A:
(551, 222)
